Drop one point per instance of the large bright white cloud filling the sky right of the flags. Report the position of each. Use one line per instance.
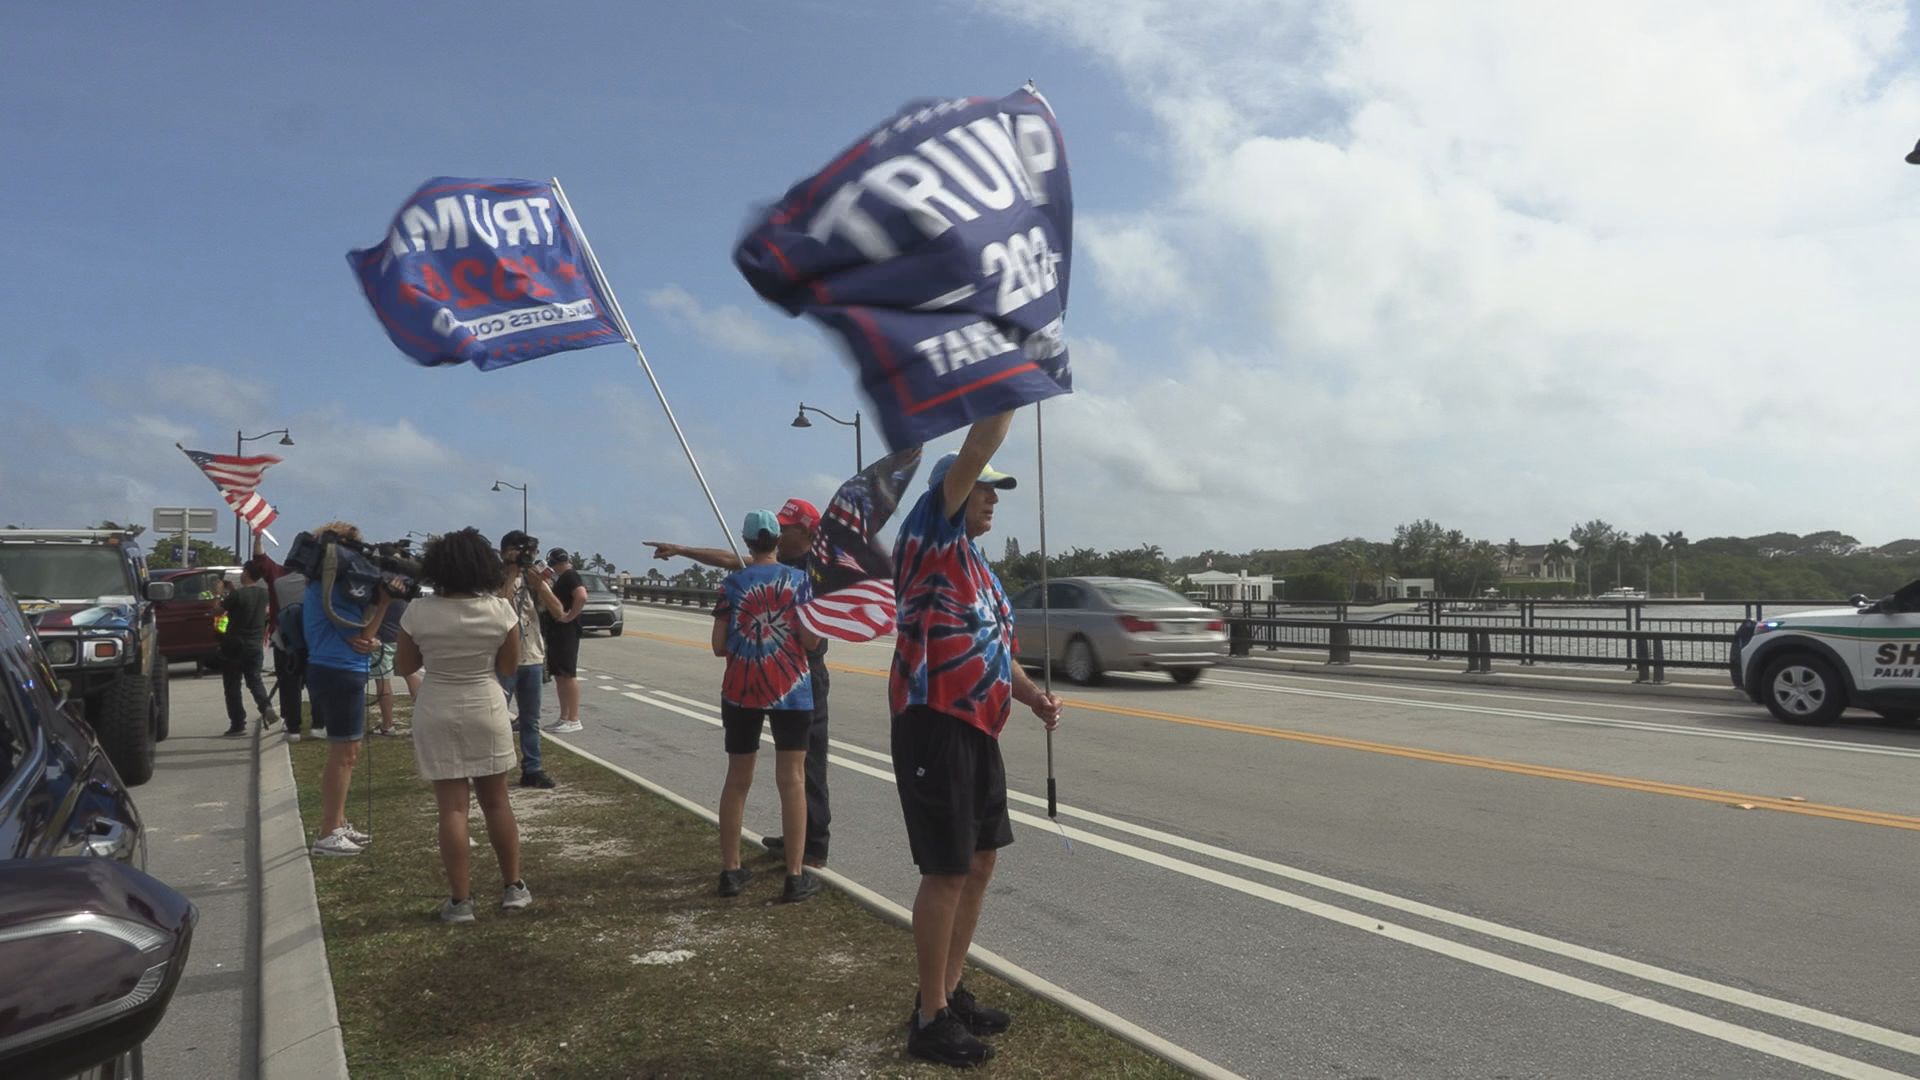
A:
(1499, 264)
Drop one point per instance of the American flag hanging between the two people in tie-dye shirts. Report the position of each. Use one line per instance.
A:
(853, 576)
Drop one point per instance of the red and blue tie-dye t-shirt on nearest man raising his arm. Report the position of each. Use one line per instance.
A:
(955, 643)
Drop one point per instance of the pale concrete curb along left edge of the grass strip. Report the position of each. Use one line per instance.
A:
(299, 1025)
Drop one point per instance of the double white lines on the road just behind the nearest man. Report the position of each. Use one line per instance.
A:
(1750, 1039)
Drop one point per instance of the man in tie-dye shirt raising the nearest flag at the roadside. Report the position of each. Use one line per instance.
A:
(951, 689)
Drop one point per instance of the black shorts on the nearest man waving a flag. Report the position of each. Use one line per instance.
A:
(953, 791)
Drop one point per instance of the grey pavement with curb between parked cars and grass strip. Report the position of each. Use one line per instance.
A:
(224, 827)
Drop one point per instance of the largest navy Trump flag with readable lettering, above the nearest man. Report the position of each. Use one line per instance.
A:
(938, 249)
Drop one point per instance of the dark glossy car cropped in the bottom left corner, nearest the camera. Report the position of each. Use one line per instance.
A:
(91, 948)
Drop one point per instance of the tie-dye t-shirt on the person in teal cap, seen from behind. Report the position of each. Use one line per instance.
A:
(765, 658)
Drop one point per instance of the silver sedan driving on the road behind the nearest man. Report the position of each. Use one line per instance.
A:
(1097, 626)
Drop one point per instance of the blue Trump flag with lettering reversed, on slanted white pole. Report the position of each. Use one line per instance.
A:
(485, 272)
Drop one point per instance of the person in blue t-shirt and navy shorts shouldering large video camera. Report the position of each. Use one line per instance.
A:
(341, 639)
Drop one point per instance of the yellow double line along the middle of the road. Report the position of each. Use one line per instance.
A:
(1462, 760)
